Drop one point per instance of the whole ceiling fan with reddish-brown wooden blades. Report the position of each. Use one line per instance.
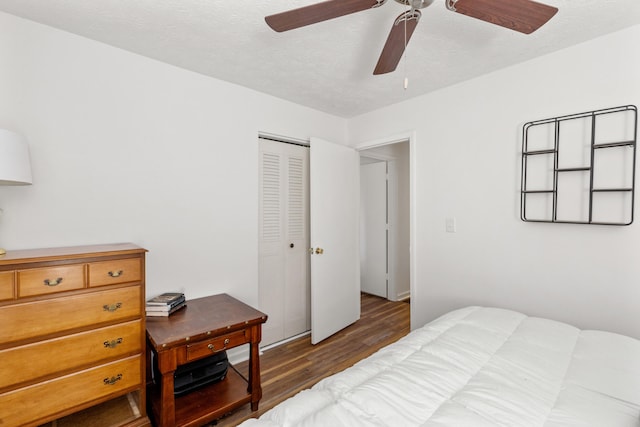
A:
(524, 16)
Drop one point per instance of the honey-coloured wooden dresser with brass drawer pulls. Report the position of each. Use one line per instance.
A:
(72, 336)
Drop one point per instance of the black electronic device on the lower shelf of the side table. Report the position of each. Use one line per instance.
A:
(193, 375)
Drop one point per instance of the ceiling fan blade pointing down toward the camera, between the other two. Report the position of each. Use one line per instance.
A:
(397, 41)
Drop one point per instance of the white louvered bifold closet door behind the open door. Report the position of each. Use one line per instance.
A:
(284, 280)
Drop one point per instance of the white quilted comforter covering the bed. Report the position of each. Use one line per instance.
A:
(479, 367)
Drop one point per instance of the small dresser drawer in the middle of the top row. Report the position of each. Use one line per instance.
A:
(40, 281)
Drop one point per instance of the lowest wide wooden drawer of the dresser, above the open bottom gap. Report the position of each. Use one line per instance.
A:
(31, 404)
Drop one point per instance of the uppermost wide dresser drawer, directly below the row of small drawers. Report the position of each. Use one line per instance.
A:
(56, 315)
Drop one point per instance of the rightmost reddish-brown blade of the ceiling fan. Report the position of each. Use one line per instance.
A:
(524, 16)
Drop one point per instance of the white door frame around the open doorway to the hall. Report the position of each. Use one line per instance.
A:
(411, 137)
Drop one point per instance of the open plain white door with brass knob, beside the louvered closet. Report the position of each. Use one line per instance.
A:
(335, 263)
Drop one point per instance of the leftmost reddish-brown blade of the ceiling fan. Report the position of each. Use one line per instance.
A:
(319, 12)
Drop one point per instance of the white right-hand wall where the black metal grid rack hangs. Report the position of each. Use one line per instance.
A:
(467, 158)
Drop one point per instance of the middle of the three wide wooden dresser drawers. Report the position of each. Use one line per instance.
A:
(26, 363)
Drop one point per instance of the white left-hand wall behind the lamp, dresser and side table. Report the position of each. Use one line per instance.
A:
(125, 148)
